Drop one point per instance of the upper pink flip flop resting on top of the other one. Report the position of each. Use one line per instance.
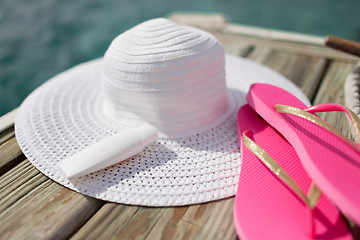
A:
(330, 159)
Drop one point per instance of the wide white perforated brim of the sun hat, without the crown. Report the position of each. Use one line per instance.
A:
(65, 115)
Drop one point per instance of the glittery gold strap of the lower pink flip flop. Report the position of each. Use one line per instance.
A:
(313, 194)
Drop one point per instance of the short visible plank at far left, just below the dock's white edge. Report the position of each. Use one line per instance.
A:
(10, 155)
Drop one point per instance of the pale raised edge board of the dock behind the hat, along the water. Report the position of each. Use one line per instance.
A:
(261, 37)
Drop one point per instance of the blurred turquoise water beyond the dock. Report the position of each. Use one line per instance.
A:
(41, 38)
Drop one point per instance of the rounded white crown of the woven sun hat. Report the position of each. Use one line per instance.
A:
(168, 75)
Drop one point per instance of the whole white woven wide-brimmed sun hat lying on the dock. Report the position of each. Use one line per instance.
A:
(175, 78)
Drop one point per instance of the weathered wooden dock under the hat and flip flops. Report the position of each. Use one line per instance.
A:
(33, 206)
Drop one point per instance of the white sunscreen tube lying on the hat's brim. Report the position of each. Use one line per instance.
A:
(108, 151)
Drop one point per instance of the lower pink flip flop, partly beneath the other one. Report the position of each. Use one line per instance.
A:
(270, 202)
